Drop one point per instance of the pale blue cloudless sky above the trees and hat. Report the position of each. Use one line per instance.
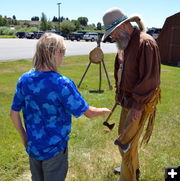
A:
(153, 12)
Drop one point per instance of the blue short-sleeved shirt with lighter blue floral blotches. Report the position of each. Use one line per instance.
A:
(48, 100)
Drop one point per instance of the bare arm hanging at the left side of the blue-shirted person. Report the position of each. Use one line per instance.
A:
(16, 119)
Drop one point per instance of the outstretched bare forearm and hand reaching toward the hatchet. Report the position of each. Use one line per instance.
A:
(93, 112)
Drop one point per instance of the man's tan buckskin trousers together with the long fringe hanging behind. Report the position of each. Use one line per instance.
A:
(130, 132)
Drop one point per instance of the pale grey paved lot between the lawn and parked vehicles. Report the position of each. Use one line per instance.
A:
(13, 49)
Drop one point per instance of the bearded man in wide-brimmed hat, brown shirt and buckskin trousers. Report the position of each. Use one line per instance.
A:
(137, 76)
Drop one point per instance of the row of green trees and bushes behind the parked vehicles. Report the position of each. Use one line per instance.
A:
(61, 24)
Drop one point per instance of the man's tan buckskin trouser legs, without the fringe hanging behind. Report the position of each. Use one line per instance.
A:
(130, 161)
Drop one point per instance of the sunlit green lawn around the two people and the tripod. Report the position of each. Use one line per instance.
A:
(92, 154)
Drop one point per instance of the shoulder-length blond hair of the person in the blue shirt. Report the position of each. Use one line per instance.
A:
(46, 47)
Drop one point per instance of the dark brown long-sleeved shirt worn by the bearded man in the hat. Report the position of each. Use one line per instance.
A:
(141, 71)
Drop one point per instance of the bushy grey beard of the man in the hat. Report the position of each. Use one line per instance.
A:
(123, 40)
